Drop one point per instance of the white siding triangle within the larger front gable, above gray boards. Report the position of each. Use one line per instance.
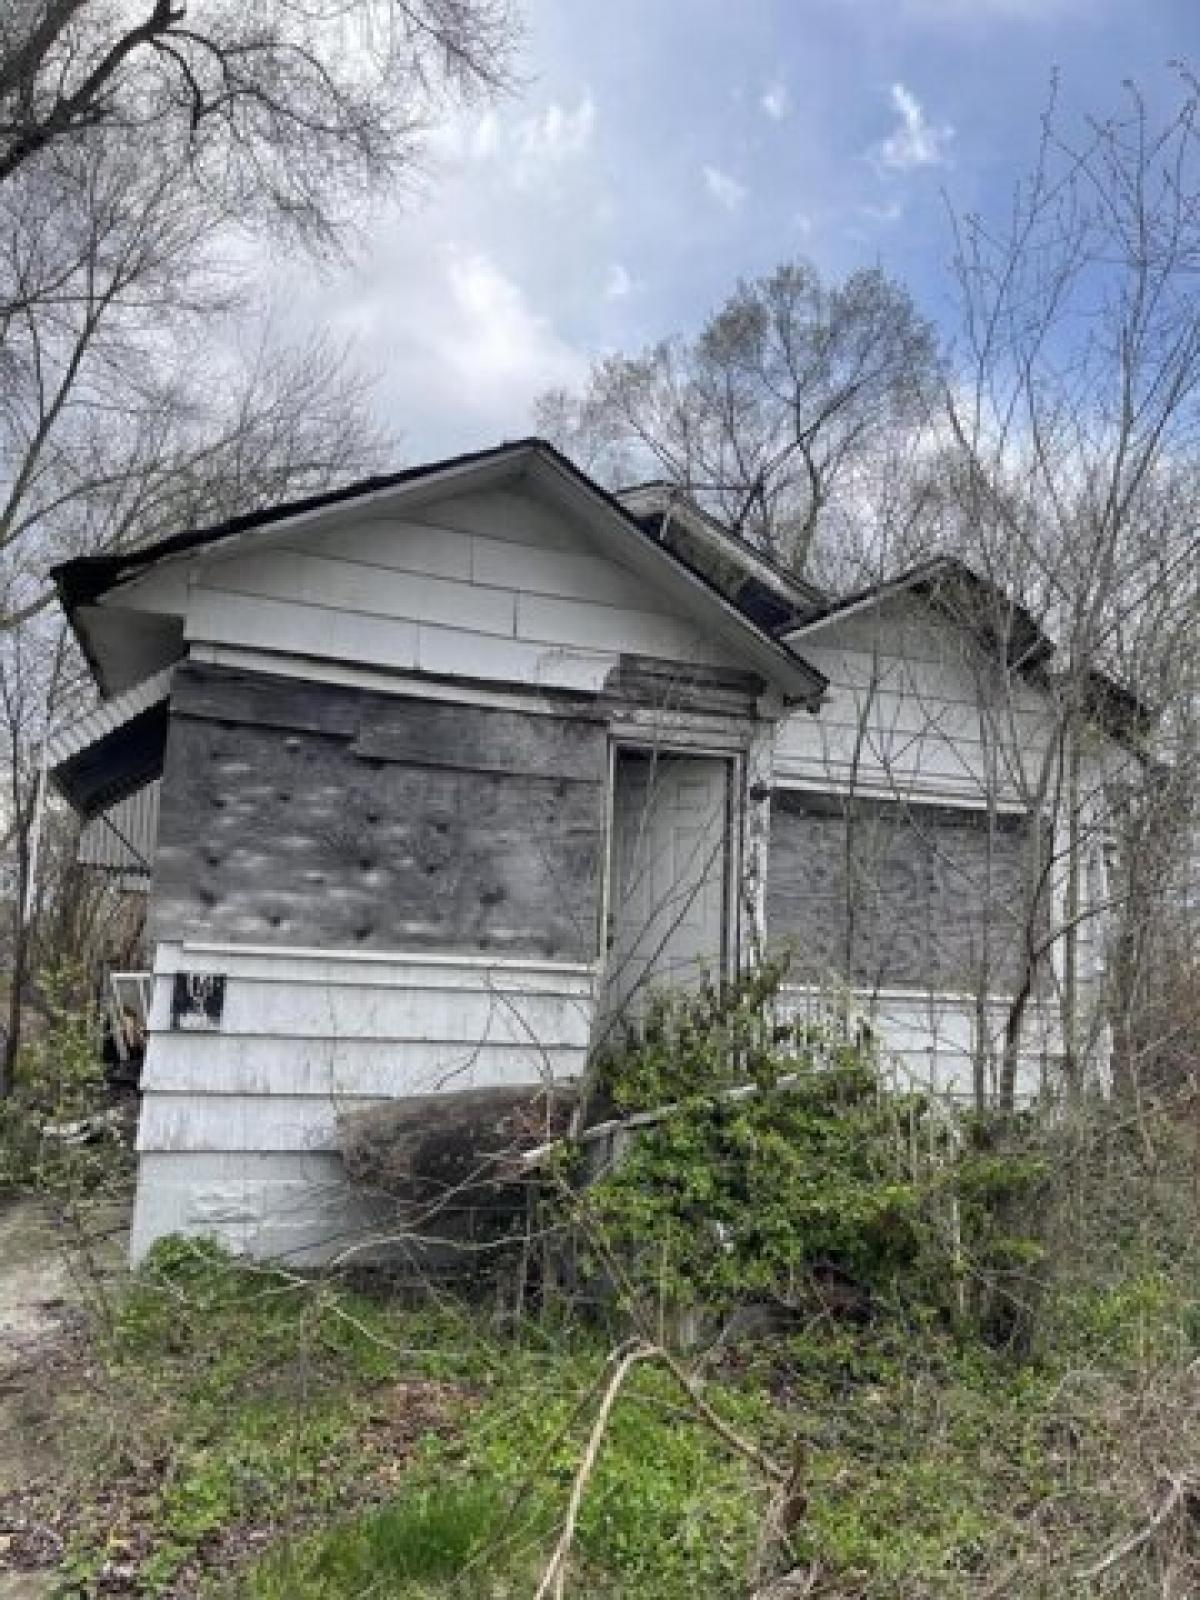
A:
(487, 586)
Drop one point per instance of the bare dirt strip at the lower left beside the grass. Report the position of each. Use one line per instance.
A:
(42, 1351)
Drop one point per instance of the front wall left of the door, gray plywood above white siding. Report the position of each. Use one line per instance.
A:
(402, 897)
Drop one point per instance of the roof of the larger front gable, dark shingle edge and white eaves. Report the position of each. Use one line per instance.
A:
(84, 582)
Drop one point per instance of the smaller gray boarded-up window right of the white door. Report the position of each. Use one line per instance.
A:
(894, 895)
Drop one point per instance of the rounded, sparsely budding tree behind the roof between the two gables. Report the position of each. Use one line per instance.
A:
(770, 410)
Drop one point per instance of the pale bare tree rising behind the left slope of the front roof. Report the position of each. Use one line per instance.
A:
(138, 399)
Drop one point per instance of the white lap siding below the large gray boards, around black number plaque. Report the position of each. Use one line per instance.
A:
(306, 1038)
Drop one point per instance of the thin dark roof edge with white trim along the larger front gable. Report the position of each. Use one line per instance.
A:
(87, 578)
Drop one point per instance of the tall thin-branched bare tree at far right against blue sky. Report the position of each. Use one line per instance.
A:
(1074, 425)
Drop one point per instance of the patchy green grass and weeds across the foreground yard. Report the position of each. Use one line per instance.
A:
(255, 1436)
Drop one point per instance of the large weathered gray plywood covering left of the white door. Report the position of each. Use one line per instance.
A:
(314, 815)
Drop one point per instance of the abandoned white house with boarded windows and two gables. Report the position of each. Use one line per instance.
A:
(431, 774)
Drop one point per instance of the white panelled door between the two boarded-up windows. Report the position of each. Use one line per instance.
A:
(670, 876)
